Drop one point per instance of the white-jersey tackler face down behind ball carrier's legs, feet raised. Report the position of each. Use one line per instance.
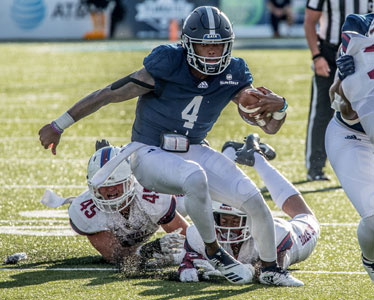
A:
(295, 238)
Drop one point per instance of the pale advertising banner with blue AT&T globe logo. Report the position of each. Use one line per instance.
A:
(46, 19)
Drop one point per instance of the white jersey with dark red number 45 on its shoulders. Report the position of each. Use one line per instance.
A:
(148, 210)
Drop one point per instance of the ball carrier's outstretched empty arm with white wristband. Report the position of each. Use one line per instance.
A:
(133, 85)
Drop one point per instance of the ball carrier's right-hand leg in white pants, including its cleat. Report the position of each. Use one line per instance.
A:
(229, 185)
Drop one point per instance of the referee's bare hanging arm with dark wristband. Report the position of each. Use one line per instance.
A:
(311, 20)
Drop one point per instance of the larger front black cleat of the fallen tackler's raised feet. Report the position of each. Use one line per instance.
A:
(246, 154)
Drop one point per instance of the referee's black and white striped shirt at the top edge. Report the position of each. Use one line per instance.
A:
(334, 13)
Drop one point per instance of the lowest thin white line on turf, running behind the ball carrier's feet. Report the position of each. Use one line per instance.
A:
(113, 269)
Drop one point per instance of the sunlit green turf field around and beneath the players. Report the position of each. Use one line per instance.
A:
(38, 82)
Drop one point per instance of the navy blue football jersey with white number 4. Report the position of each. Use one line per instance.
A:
(180, 102)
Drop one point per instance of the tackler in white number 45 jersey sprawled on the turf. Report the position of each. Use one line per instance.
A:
(122, 215)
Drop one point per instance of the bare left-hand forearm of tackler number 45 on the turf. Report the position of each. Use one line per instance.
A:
(109, 247)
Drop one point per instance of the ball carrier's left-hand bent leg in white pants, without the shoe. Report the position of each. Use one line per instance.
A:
(168, 173)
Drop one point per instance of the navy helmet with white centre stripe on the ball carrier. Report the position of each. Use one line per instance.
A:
(207, 25)
